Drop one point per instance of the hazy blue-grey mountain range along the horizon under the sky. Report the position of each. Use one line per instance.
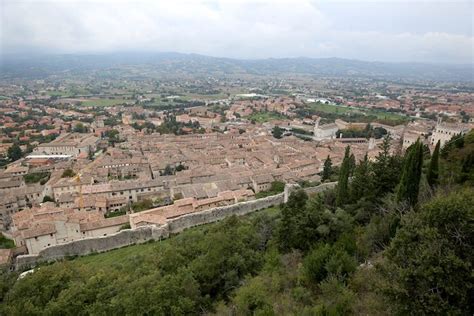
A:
(192, 64)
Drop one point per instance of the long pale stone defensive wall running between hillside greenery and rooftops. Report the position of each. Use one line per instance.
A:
(143, 234)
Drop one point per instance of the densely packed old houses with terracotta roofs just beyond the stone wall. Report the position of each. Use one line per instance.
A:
(179, 174)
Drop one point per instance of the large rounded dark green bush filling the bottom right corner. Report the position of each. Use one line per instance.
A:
(429, 262)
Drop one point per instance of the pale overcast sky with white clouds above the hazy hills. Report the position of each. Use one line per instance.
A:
(403, 30)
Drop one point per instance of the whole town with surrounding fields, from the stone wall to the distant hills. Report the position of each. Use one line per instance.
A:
(78, 166)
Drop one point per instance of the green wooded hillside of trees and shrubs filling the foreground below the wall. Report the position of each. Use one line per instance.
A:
(394, 237)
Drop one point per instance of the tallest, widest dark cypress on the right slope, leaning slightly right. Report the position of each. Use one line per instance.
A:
(409, 185)
